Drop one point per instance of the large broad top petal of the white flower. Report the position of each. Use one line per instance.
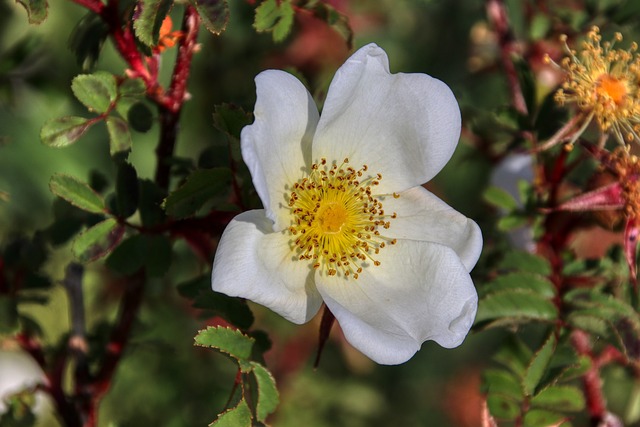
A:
(404, 126)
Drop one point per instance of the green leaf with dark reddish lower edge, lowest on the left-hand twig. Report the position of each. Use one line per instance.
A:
(98, 241)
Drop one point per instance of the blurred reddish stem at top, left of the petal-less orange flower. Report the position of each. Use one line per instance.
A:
(497, 15)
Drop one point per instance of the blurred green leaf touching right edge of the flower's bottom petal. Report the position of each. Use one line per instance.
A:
(516, 303)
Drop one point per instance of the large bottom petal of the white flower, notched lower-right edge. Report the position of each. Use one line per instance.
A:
(421, 291)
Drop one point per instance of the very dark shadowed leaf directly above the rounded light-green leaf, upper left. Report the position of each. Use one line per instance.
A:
(87, 39)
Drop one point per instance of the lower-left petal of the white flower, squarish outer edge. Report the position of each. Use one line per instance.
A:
(255, 263)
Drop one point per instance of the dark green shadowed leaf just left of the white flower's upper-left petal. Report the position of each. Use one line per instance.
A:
(200, 187)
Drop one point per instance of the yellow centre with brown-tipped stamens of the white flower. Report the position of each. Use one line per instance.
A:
(335, 219)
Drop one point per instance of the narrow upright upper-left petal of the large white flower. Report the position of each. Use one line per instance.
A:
(277, 146)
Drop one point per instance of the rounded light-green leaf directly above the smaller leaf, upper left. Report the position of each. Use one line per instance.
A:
(96, 91)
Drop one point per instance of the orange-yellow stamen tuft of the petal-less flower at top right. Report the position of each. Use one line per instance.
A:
(602, 81)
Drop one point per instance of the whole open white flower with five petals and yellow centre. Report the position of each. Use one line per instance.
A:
(345, 219)
